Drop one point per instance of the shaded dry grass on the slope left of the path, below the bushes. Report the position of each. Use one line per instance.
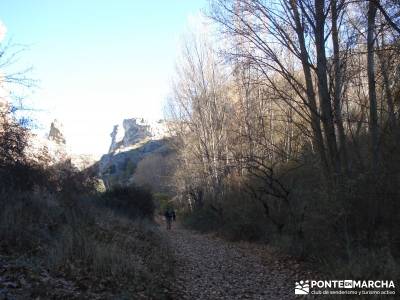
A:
(92, 246)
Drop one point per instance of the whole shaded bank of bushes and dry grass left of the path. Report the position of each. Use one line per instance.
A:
(60, 238)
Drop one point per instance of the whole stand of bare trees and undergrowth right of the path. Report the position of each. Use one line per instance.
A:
(287, 130)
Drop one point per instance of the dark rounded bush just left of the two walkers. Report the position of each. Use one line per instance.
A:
(132, 201)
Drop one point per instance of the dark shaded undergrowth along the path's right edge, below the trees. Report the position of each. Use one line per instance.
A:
(352, 231)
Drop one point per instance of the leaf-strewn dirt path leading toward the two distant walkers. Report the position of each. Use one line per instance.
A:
(211, 268)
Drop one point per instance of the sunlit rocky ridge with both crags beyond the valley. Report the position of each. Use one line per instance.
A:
(133, 142)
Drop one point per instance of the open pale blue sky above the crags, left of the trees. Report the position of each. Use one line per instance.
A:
(98, 61)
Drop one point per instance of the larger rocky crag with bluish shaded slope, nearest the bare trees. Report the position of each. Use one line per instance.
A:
(138, 140)
